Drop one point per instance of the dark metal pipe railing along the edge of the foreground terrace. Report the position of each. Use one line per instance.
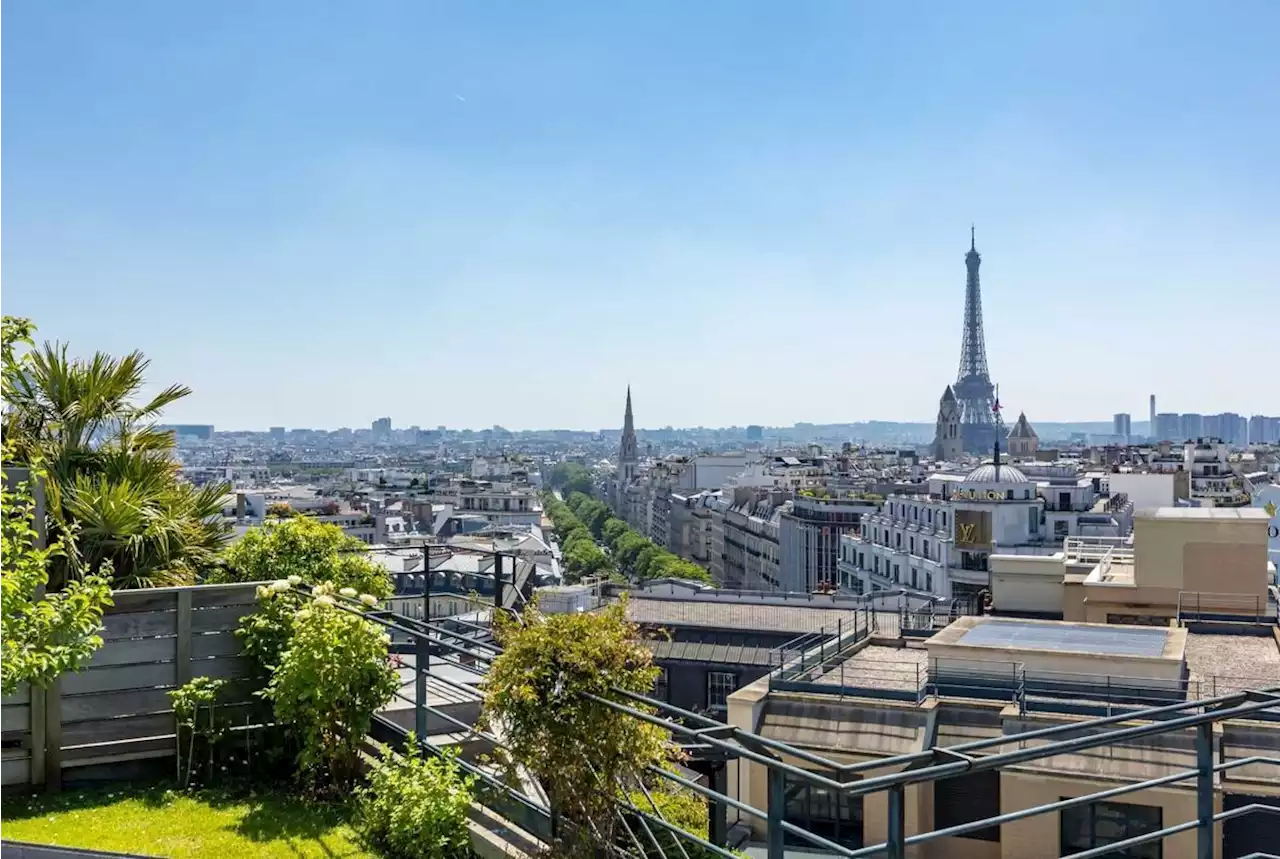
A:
(913, 769)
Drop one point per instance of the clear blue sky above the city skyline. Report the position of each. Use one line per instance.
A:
(504, 212)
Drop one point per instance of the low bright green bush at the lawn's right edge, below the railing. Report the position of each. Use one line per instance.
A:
(417, 807)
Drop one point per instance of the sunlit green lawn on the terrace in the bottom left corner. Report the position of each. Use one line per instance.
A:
(163, 824)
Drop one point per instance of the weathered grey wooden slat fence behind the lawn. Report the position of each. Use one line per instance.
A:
(117, 710)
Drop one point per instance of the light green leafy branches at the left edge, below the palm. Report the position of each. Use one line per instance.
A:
(42, 636)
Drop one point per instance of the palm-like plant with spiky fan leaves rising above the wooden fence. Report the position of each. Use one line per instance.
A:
(113, 483)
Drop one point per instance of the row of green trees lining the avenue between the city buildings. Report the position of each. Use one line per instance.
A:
(589, 523)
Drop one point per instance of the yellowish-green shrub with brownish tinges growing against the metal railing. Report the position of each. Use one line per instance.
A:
(580, 750)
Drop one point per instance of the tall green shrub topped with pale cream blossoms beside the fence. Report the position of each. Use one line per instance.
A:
(332, 678)
